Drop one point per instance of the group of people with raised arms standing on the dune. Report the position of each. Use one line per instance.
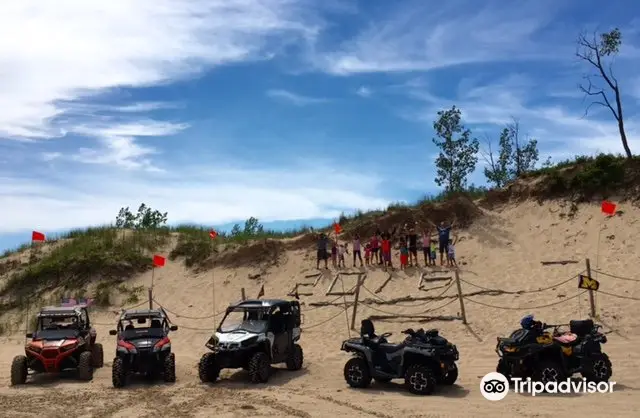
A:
(411, 240)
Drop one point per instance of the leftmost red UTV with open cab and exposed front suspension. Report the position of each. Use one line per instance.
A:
(63, 340)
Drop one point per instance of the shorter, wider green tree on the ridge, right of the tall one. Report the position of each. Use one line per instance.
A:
(515, 156)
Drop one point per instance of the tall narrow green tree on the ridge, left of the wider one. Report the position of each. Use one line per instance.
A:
(458, 150)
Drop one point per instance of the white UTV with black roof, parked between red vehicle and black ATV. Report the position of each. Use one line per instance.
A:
(253, 335)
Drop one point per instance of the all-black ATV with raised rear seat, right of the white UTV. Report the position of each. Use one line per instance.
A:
(423, 360)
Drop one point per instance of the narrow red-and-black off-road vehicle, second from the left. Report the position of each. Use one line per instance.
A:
(143, 346)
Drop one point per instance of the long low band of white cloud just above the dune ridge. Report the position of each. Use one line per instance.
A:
(210, 195)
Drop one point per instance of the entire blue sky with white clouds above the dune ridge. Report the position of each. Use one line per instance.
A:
(285, 110)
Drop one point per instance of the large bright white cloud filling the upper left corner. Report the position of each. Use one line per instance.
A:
(63, 54)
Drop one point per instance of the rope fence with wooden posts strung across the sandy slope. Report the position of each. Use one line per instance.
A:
(586, 285)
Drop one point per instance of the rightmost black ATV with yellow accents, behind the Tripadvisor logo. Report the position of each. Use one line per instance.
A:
(553, 356)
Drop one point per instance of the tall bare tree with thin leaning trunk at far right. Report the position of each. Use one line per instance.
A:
(593, 50)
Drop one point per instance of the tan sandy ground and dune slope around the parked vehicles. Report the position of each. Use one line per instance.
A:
(502, 252)
